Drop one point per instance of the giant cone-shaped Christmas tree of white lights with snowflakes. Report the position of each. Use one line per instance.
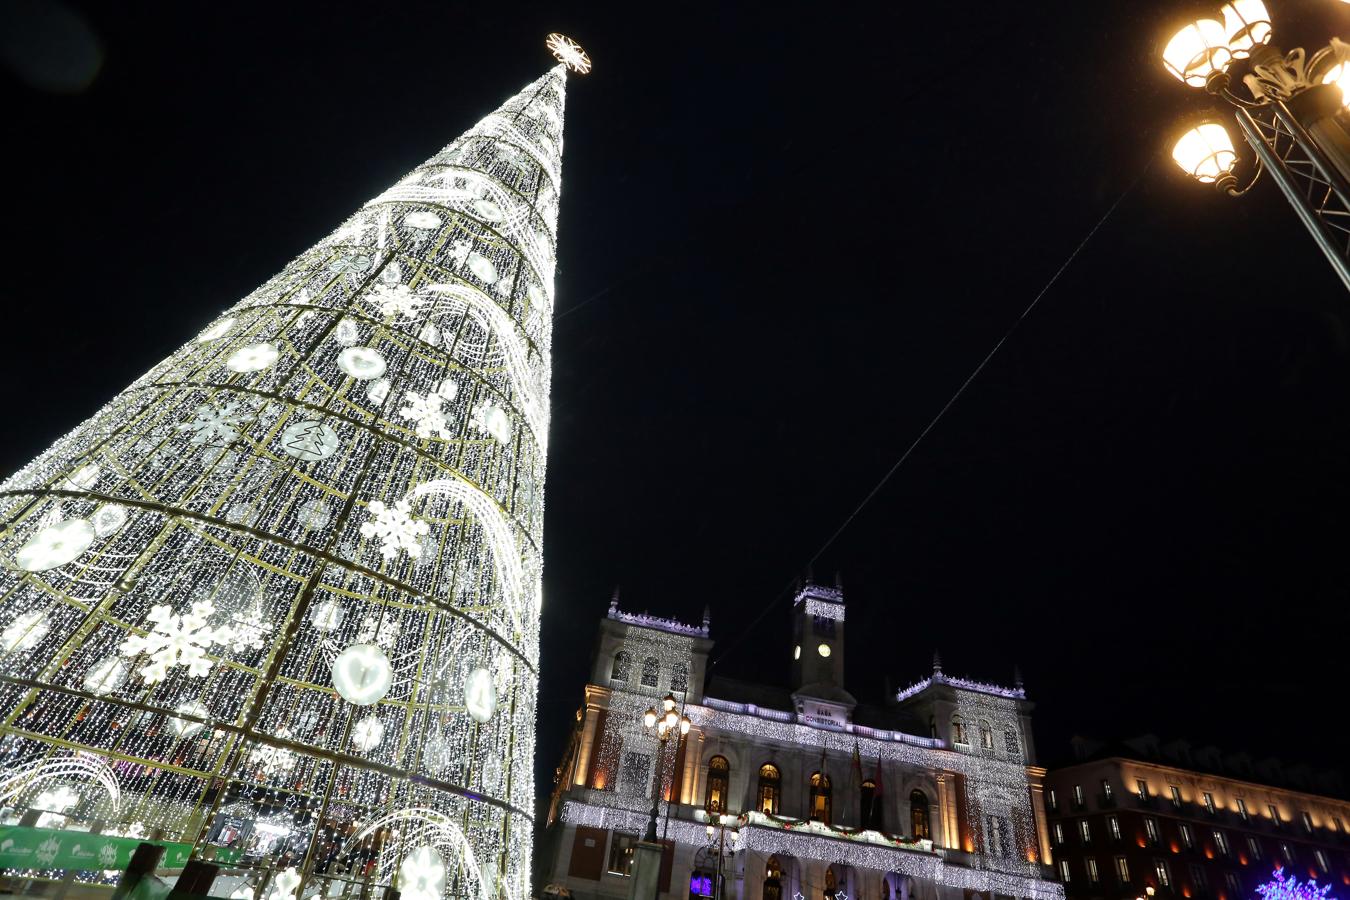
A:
(283, 593)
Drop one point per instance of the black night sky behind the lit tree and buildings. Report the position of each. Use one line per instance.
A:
(789, 234)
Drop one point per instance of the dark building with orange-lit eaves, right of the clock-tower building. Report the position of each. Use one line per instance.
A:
(1175, 821)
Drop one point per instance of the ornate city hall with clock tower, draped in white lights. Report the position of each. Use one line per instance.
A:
(799, 791)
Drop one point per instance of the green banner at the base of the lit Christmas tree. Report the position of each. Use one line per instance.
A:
(24, 848)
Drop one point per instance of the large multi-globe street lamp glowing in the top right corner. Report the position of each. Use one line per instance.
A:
(1295, 117)
